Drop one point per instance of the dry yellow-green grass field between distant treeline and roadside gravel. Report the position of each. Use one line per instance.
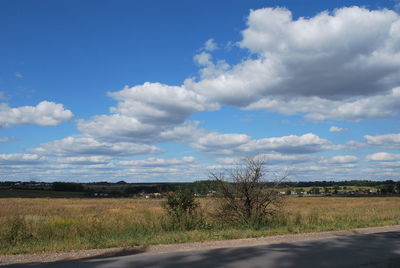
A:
(30, 225)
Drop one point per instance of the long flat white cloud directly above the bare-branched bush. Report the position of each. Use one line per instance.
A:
(216, 143)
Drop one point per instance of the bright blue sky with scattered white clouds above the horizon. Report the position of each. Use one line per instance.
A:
(169, 91)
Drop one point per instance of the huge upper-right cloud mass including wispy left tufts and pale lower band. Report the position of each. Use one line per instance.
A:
(344, 65)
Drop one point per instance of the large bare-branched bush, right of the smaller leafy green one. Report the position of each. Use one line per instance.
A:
(245, 194)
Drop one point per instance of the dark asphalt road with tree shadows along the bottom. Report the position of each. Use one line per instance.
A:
(371, 250)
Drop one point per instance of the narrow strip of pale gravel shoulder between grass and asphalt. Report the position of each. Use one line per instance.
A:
(158, 249)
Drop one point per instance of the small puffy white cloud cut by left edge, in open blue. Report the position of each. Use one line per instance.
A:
(44, 114)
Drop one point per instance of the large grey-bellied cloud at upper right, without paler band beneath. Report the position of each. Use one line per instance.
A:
(351, 52)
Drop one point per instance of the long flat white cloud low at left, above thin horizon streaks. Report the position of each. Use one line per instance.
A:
(77, 145)
